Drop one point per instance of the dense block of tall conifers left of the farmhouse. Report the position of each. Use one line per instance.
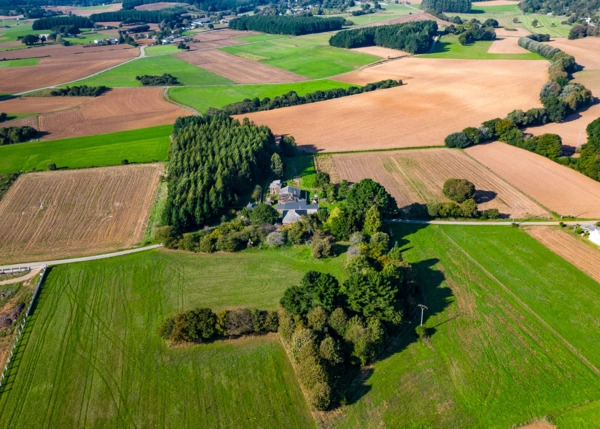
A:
(213, 160)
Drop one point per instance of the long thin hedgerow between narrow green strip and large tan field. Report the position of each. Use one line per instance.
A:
(293, 99)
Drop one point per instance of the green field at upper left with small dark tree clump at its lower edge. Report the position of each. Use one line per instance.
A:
(186, 73)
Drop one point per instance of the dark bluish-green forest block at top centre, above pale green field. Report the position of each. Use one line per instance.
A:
(280, 24)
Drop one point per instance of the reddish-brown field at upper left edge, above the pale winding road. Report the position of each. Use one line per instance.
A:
(59, 64)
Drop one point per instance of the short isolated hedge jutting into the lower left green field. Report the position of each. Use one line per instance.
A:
(202, 325)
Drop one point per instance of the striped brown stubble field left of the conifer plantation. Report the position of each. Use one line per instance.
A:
(84, 212)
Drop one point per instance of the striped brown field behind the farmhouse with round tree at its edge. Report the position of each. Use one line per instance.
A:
(419, 175)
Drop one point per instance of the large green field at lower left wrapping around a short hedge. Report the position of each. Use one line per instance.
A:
(92, 356)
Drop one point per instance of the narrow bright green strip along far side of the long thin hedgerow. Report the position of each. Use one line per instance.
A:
(203, 98)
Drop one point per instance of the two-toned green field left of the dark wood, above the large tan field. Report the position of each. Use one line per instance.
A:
(309, 56)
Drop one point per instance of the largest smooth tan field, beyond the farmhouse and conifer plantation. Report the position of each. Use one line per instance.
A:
(440, 96)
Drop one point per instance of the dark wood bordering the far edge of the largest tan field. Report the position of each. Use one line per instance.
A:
(413, 37)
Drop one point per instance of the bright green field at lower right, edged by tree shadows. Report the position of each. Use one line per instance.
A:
(495, 357)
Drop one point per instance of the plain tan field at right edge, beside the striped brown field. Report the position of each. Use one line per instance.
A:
(559, 188)
